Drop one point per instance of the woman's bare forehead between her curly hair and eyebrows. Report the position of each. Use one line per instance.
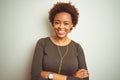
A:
(63, 16)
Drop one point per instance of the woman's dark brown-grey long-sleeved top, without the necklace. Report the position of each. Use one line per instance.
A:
(46, 57)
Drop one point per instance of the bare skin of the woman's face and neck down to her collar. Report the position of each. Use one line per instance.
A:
(62, 25)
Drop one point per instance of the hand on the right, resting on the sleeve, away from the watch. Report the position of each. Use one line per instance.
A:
(82, 73)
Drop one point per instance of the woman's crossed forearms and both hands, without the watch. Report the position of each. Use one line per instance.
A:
(79, 75)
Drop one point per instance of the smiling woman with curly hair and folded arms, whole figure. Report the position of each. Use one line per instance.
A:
(58, 57)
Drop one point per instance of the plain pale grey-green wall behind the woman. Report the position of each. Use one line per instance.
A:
(24, 22)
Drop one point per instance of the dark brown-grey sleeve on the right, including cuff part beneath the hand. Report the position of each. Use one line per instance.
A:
(81, 63)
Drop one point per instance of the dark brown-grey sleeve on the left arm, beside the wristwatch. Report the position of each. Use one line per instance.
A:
(37, 61)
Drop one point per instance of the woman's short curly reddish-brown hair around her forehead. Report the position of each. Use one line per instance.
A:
(64, 7)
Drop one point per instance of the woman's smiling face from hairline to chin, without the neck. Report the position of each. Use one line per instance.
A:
(62, 24)
